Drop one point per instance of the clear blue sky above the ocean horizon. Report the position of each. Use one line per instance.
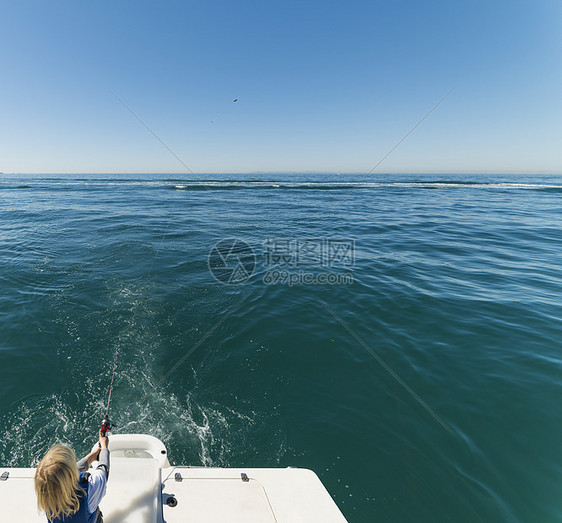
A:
(321, 86)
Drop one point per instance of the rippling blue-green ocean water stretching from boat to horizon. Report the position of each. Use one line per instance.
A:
(427, 388)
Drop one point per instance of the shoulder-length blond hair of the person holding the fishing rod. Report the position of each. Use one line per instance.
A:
(56, 483)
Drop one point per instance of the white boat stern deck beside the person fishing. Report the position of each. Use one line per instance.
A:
(144, 488)
